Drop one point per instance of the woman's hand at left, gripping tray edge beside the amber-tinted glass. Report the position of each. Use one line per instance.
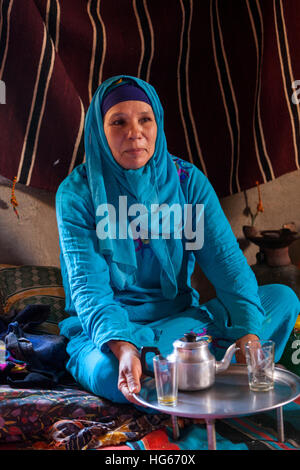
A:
(130, 368)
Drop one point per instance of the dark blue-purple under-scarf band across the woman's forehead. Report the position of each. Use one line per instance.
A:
(126, 92)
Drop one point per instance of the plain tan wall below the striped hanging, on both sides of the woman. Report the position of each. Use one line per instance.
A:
(33, 238)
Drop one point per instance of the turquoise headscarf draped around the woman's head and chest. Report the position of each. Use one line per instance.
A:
(155, 183)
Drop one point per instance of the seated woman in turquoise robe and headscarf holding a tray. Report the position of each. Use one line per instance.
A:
(127, 280)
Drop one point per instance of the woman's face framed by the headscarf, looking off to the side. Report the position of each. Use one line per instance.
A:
(131, 130)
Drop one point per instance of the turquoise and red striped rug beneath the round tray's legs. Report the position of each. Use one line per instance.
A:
(258, 432)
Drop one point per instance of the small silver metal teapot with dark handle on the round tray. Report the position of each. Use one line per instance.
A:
(197, 367)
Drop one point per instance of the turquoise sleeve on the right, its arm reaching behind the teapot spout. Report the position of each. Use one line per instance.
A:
(224, 264)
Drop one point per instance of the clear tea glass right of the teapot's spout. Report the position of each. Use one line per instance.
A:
(260, 363)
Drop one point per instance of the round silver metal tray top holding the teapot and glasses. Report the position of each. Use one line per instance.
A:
(228, 397)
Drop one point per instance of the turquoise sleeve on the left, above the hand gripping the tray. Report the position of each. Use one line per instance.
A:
(102, 317)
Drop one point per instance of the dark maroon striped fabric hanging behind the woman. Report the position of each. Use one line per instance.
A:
(226, 72)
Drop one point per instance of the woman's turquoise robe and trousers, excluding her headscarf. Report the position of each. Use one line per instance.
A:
(139, 312)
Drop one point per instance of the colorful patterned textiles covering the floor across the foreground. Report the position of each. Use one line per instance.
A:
(71, 419)
